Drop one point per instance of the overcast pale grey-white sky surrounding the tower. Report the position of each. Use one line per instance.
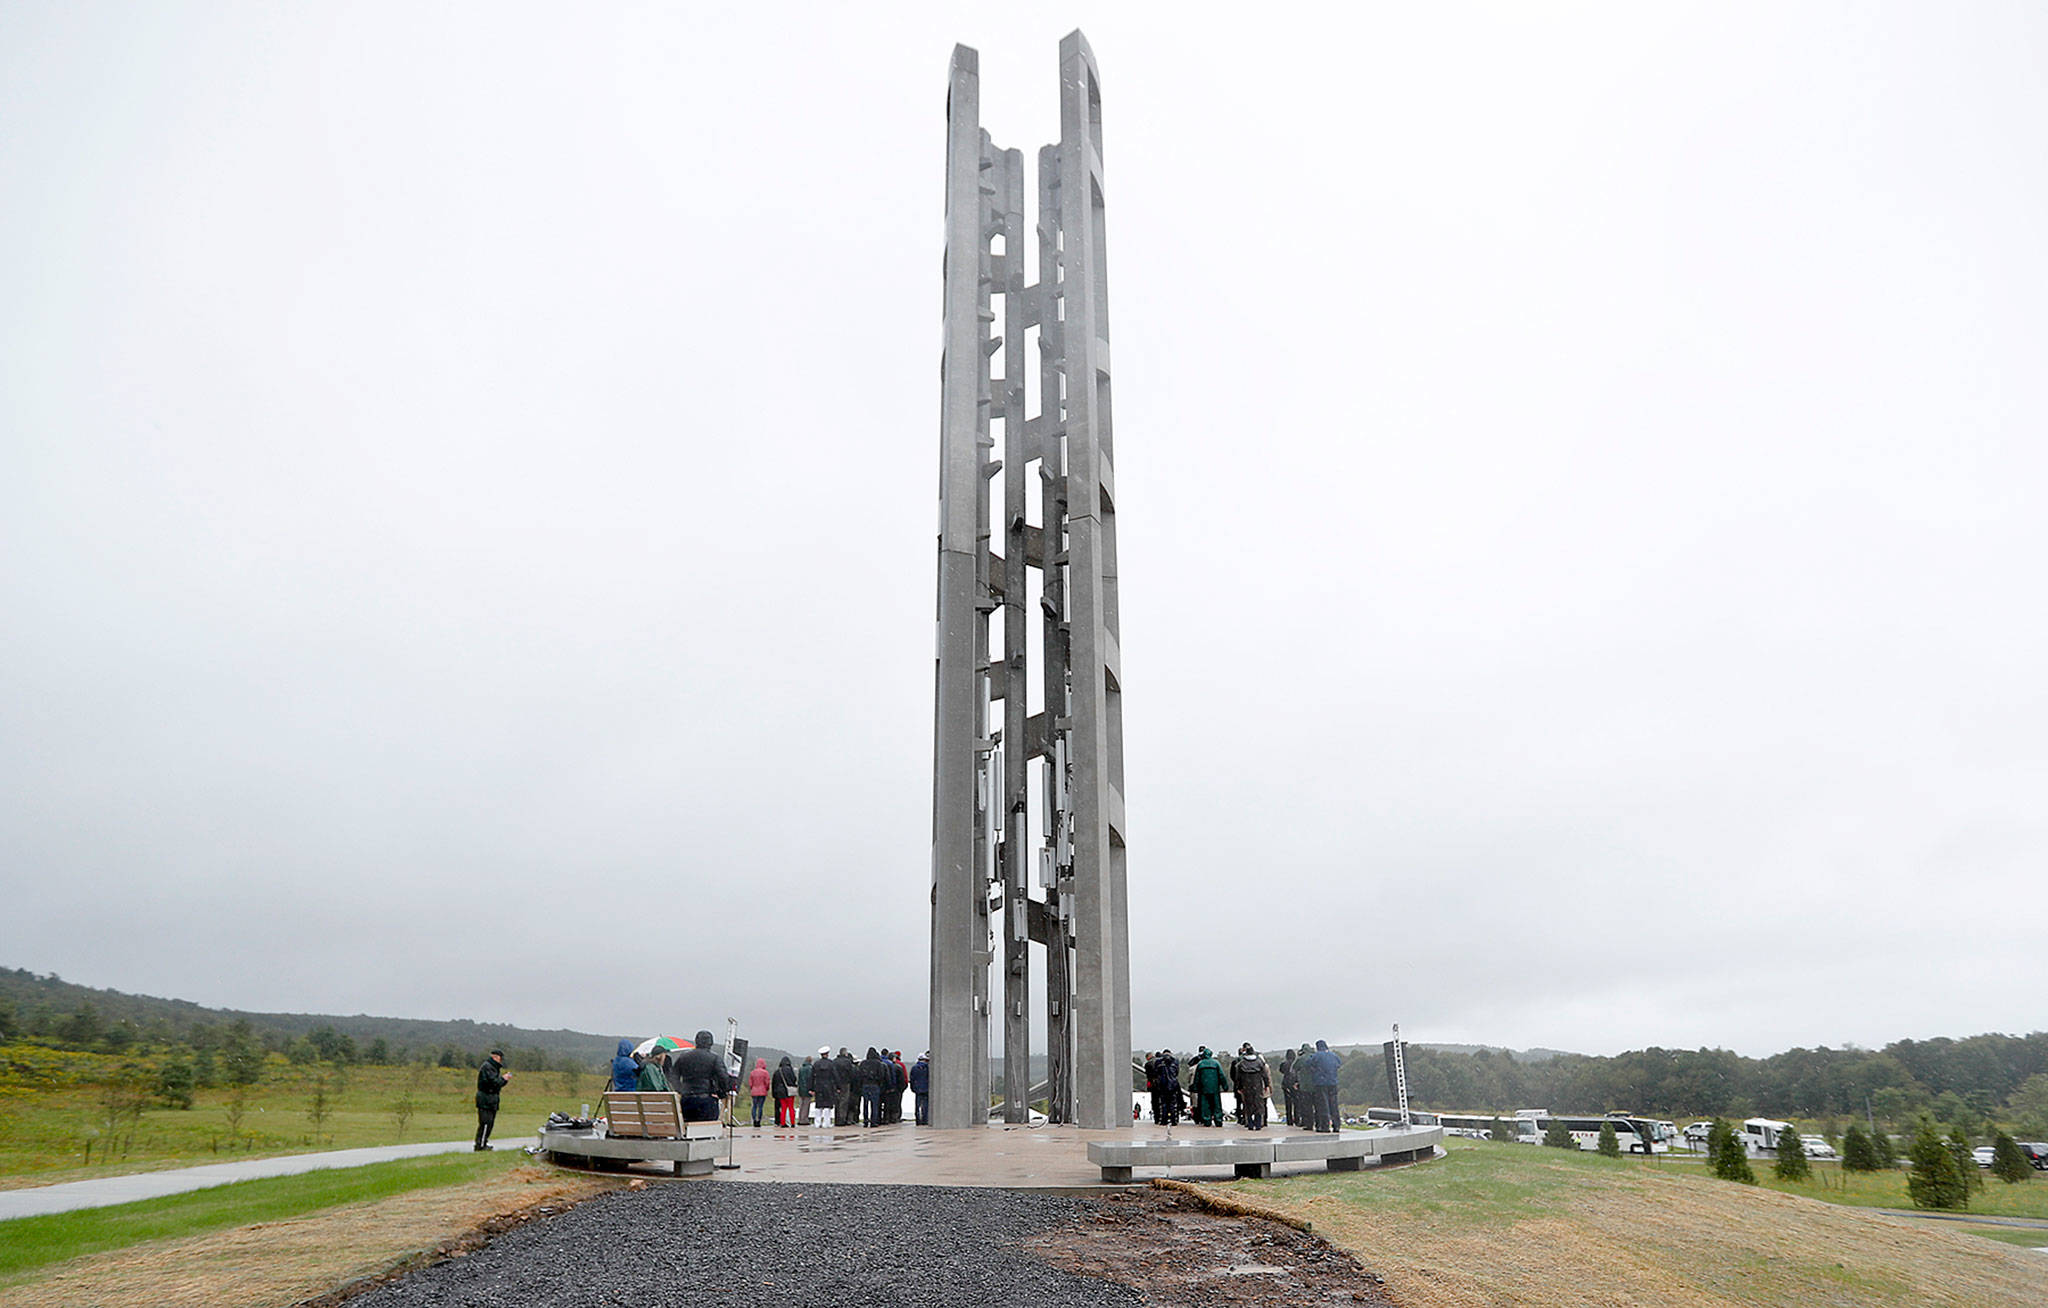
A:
(466, 529)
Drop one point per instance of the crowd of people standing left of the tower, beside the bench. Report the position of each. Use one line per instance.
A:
(824, 1090)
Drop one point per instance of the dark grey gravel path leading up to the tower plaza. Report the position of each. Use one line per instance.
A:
(767, 1244)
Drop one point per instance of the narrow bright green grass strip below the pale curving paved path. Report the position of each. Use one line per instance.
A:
(30, 1244)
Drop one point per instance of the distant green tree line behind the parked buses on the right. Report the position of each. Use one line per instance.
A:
(1969, 1082)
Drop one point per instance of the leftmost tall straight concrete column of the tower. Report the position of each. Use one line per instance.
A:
(957, 912)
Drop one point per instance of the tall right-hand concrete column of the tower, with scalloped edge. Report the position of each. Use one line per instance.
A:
(1101, 932)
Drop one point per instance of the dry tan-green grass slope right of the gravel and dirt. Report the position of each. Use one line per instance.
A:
(1508, 1225)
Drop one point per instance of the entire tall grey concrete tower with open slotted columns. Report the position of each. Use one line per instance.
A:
(988, 742)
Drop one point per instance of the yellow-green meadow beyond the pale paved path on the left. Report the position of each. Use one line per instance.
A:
(56, 1125)
